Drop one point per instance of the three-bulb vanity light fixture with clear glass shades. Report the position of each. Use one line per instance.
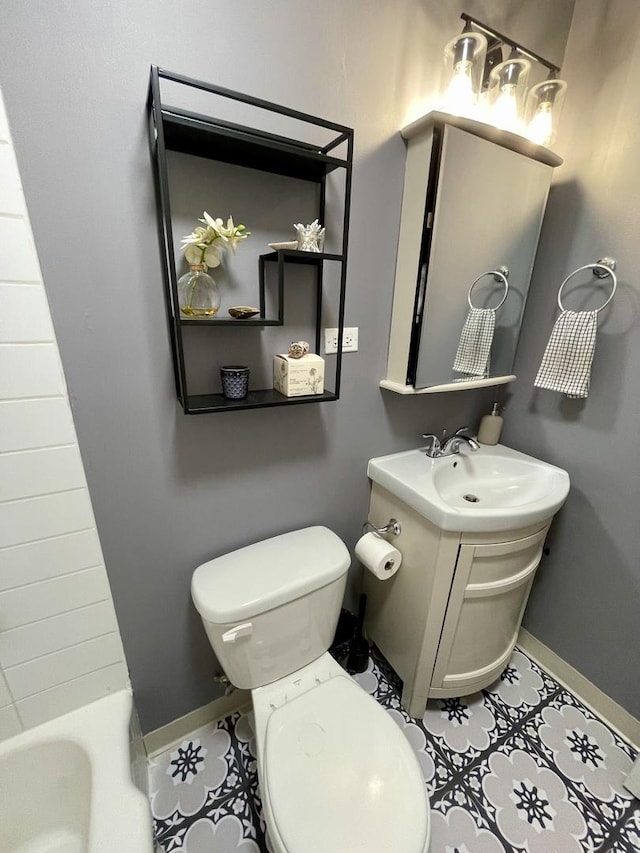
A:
(480, 84)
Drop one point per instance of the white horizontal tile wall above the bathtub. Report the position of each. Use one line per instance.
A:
(59, 642)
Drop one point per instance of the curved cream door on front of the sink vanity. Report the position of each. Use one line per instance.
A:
(488, 596)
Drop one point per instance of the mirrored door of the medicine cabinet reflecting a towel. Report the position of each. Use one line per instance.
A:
(488, 212)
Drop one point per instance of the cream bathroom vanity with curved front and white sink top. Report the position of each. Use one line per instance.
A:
(448, 620)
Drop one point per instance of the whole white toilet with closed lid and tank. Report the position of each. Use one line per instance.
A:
(335, 771)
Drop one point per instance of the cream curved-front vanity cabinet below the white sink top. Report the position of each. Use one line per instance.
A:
(448, 620)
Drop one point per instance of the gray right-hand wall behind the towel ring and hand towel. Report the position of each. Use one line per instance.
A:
(585, 602)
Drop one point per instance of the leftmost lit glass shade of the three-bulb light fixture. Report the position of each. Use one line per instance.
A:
(464, 58)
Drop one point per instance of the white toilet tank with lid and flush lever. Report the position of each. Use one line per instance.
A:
(271, 608)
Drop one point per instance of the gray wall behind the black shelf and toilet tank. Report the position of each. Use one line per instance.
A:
(169, 491)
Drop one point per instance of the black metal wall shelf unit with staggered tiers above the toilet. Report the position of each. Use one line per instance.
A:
(199, 135)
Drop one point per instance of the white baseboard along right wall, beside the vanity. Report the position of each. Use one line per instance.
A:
(627, 726)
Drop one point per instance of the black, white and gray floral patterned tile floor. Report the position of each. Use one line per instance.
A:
(522, 766)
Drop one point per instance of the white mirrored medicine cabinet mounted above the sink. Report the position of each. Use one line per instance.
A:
(474, 200)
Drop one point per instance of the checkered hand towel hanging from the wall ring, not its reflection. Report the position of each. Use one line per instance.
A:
(566, 363)
